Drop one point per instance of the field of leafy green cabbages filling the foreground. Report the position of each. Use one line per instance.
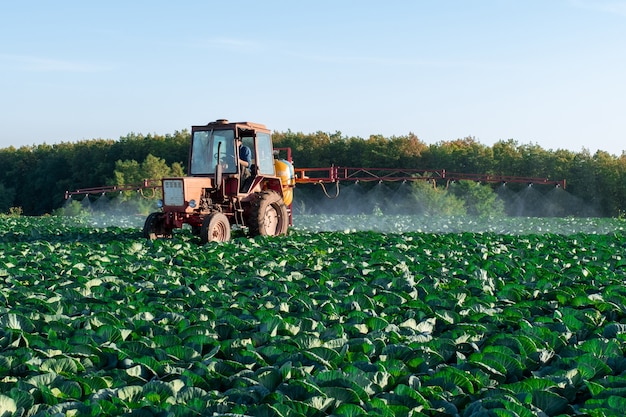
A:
(346, 316)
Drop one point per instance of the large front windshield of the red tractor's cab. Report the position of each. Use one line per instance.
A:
(210, 148)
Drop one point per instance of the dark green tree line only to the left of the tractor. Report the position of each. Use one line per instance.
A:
(35, 178)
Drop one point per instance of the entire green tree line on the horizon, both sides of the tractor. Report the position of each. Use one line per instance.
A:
(35, 178)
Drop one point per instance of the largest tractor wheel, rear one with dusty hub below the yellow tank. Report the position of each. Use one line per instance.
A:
(268, 215)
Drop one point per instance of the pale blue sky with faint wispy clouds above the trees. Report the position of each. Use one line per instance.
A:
(546, 72)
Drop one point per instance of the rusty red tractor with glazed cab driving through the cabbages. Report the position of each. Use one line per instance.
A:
(222, 190)
